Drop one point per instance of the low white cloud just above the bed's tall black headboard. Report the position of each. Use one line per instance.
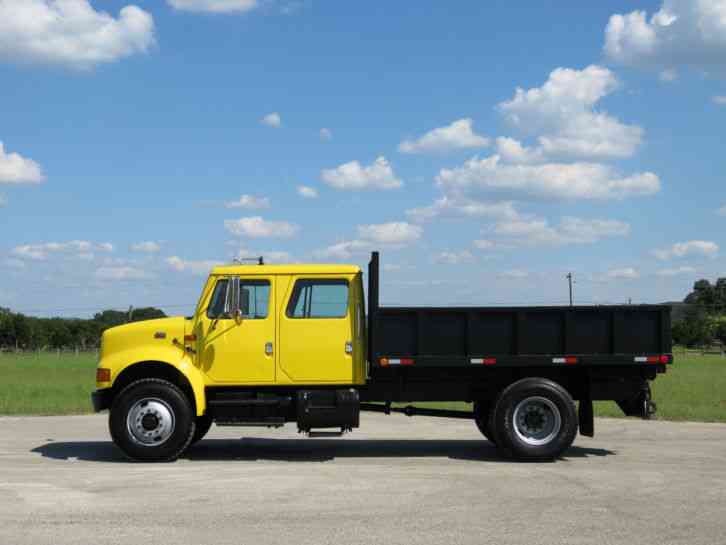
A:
(391, 235)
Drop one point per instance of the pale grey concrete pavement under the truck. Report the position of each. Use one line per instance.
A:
(396, 480)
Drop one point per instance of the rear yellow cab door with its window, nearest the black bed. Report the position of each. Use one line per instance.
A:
(317, 336)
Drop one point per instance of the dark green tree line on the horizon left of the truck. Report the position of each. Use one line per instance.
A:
(21, 332)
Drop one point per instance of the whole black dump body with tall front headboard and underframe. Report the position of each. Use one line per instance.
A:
(450, 353)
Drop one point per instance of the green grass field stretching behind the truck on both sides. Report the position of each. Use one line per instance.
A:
(693, 389)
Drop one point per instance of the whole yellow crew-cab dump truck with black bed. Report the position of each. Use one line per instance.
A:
(275, 344)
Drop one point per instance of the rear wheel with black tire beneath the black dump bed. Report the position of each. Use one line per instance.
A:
(534, 419)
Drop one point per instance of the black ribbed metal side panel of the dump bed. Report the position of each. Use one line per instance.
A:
(453, 336)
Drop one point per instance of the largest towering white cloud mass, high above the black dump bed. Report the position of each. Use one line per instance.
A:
(565, 157)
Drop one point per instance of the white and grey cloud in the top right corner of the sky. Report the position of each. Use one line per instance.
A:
(682, 33)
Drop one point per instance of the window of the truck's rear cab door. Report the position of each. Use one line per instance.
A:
(319, 299)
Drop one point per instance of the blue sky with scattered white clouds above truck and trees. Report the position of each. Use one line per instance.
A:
(143, 143)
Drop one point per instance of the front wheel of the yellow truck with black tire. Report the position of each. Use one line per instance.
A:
(152, 420)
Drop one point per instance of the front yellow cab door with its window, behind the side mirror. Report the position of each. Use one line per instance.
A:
(239, 350)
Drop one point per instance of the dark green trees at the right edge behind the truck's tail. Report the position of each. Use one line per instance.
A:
(701, 318)
